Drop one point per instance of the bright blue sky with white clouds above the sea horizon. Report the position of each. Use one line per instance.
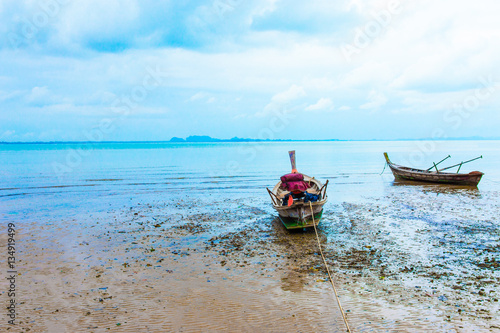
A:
(88, 70)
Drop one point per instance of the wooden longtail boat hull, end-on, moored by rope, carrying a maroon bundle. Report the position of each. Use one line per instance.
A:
(299, 214)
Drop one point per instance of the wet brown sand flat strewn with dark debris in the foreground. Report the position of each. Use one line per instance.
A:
(429, 264)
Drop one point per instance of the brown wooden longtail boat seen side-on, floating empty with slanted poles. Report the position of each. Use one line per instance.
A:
(436, 176)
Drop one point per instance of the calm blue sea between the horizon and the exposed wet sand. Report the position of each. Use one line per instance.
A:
(57, 180)
